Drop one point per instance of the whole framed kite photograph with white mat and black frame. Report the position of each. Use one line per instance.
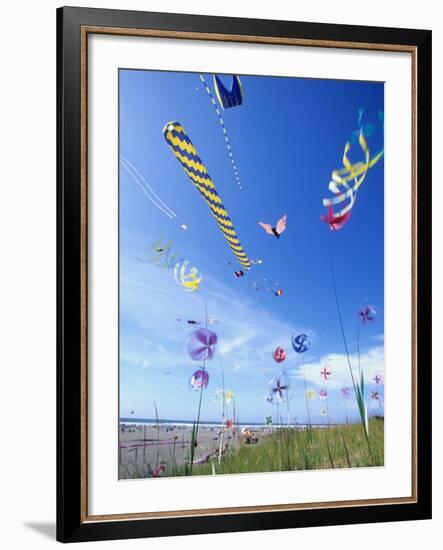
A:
(244, 274)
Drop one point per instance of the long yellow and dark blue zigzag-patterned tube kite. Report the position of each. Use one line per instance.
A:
(182, 147)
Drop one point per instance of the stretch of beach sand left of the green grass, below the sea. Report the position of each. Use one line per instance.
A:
(142, 448)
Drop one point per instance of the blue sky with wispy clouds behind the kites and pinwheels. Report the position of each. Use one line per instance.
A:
(286, 138)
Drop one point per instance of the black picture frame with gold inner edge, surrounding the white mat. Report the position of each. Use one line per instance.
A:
(72, 526)
